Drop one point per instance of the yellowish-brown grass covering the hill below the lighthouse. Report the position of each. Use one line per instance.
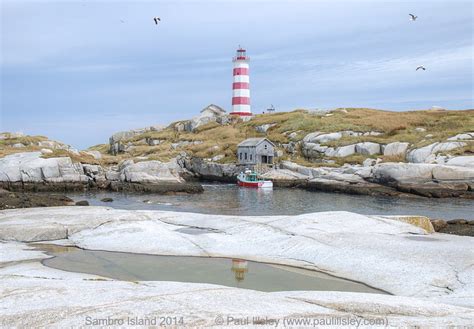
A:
(223, 139)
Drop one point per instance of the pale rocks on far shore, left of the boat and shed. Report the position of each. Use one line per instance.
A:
(29, 172)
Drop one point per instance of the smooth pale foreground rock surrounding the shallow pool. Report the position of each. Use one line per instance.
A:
(430, 285)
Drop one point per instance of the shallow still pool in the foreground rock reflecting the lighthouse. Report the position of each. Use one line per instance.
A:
(222, 271)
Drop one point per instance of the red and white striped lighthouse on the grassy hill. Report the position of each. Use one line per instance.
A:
(241, 86)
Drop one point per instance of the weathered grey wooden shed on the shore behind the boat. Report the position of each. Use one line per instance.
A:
(254, 151)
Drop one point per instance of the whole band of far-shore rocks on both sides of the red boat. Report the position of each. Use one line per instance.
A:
(29, 172)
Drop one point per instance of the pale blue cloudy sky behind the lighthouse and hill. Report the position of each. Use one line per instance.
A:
(78, 71)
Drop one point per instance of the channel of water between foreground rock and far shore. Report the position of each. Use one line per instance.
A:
(229, 199)
